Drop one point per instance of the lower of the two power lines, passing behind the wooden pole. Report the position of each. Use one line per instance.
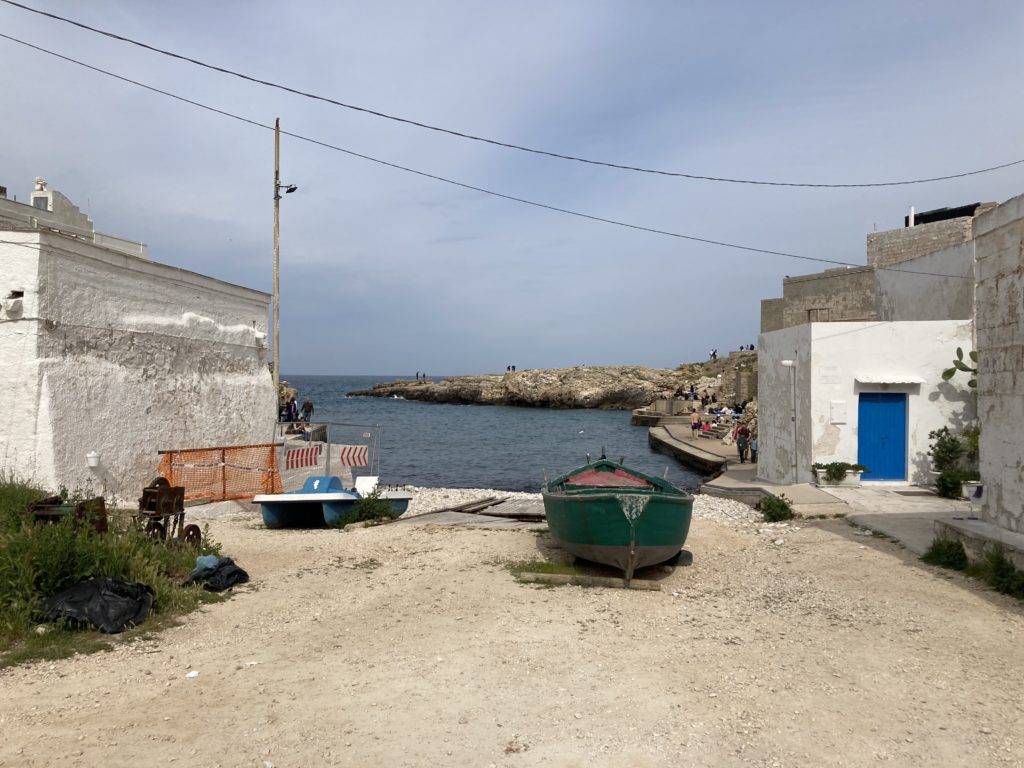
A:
(464, 186)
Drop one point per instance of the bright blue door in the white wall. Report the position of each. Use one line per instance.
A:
(882, 435)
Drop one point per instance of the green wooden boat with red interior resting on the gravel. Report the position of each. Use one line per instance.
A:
(610, 515)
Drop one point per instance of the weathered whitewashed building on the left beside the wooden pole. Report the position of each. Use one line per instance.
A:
(104, 352)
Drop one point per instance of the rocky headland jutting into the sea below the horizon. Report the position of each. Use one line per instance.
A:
(608, 388)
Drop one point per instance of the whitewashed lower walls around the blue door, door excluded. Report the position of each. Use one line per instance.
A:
(831, 357)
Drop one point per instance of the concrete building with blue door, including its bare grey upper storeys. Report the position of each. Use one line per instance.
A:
(866, 349)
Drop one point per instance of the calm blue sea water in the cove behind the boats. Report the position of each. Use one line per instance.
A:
(480, 447)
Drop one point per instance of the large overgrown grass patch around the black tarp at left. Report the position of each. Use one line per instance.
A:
(37, 562)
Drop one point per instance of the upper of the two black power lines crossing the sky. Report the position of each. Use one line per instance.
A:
(496, 143)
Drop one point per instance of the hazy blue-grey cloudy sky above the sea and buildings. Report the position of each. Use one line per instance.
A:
(387, 272)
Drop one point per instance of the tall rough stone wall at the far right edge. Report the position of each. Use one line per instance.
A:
(1000, 328)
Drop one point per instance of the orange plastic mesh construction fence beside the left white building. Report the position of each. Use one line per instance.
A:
(223, 474)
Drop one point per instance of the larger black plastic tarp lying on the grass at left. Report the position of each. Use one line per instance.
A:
(109, 605)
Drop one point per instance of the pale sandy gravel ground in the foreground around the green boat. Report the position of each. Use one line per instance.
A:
(782, 646)
